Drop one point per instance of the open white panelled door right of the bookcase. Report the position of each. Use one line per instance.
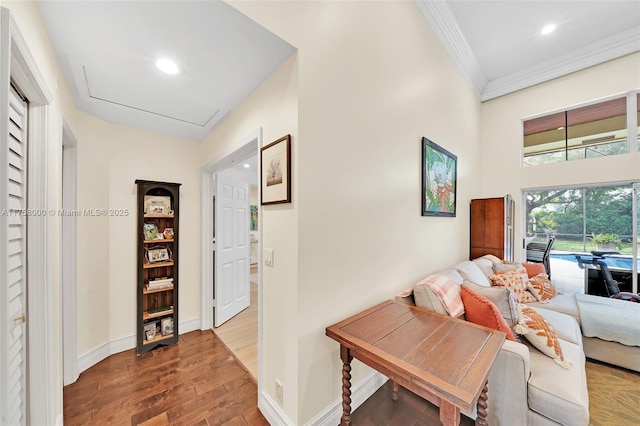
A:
(231, 284)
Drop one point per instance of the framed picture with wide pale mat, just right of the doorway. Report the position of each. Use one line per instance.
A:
(275, 172)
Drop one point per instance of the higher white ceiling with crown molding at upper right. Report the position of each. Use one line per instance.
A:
(498, 46)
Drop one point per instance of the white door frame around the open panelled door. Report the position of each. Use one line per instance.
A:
(250, 145)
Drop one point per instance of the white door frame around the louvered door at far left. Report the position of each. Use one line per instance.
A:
(41, 392)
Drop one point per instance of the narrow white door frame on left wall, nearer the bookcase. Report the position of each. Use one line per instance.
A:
(69, 255)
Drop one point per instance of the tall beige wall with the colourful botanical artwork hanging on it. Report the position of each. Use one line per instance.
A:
(372, 81)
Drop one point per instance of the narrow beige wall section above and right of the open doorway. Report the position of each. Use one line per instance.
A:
(274, 108)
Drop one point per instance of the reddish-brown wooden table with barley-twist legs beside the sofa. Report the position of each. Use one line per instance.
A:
(442, 359)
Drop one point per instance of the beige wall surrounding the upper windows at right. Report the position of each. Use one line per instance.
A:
(501, 135)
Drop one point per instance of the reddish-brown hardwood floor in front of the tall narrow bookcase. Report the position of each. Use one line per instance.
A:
(196, 382)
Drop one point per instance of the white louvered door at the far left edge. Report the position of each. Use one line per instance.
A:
(13, 251)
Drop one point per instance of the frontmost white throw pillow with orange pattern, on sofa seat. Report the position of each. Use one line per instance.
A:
(540, 334)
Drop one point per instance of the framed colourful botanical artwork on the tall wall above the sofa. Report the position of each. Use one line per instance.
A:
(439, 180)
